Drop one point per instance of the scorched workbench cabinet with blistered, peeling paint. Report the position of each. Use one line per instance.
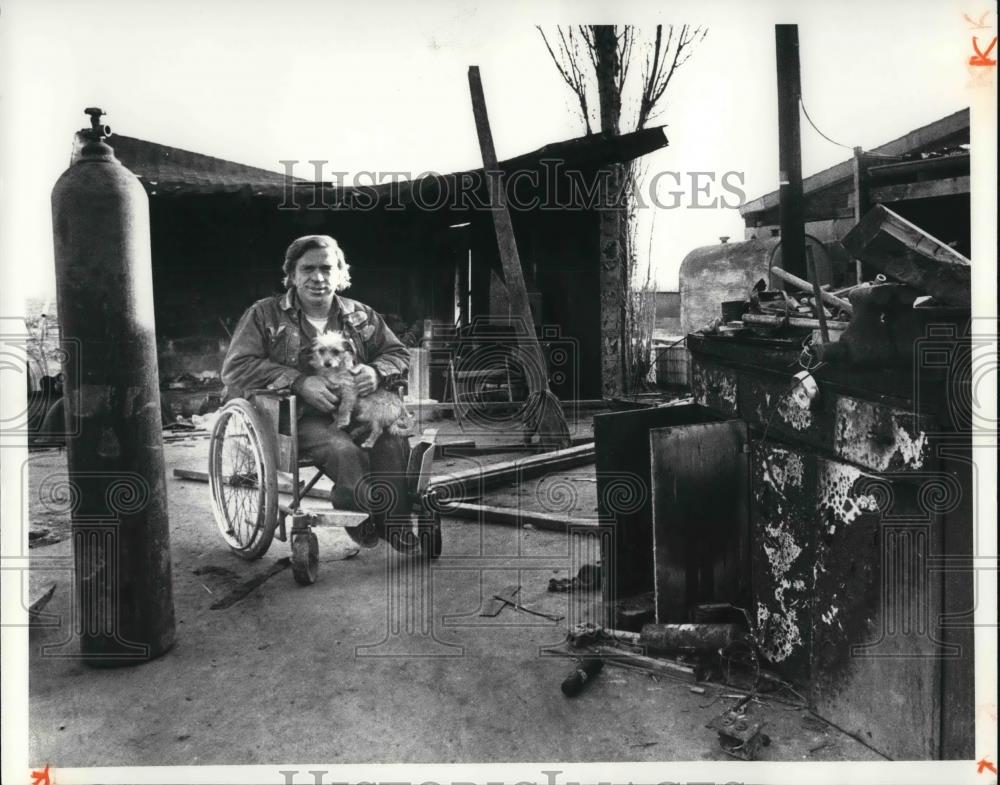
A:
(860, 542)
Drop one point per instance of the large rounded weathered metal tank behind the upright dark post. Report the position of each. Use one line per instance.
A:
(713, 274)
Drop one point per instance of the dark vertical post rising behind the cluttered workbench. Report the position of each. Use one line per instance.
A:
(791, 207)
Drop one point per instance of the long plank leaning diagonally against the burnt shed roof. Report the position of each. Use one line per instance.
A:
(543, 413)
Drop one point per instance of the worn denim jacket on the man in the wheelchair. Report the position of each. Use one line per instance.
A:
(270, 346)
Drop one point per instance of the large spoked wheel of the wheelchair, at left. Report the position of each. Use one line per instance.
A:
(243, 479)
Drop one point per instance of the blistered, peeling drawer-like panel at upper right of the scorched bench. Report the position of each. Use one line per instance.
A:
(878, 437)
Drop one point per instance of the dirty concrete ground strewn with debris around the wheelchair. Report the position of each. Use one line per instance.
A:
(344, 671)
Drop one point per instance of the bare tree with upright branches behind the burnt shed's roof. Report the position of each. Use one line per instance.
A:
(595, 61)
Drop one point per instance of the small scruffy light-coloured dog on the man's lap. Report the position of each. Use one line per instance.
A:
(381, 409)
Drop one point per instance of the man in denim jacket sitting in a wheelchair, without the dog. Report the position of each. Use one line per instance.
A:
(270, 349)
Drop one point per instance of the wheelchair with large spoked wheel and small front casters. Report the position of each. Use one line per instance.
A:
(253, 456)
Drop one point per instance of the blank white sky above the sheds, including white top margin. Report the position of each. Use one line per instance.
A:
(382, 85)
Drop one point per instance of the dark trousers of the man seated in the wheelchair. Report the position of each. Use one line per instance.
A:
(372, 480)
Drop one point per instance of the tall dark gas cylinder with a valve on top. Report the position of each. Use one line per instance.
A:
(121, 542)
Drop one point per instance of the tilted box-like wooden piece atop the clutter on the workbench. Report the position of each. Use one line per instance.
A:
(890, 244)
